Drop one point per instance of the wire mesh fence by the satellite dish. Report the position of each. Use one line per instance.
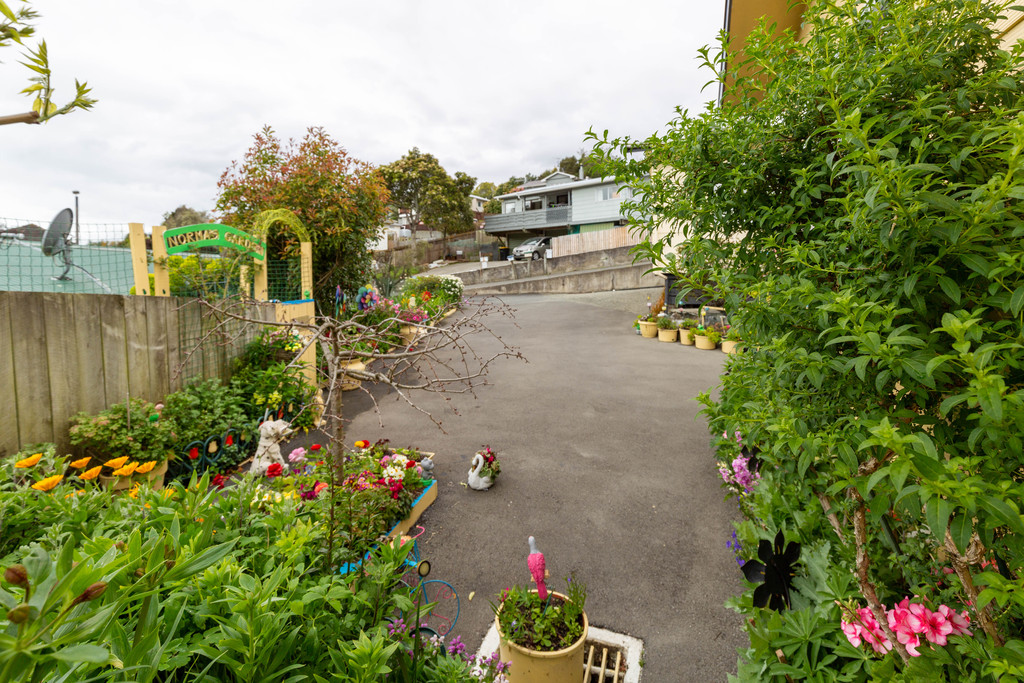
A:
(94, 259)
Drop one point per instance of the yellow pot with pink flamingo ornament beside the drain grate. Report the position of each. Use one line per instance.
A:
(542, 633)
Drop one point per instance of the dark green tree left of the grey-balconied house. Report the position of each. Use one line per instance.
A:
(421, 188)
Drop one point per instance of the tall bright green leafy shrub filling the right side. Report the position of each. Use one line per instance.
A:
(858, 201)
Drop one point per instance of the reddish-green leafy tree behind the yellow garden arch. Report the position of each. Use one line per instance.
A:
(342, 200)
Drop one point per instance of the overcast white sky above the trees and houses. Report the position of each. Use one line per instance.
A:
(494, 90)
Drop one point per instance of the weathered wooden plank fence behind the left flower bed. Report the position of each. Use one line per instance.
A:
(64, 354)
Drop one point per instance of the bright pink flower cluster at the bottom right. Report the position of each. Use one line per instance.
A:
(909, 623)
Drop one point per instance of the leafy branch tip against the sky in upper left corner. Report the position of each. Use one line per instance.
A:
(16, 27)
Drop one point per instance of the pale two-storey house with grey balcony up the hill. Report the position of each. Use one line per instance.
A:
(560, 204)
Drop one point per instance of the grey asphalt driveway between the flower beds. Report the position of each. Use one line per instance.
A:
(605, 460)
